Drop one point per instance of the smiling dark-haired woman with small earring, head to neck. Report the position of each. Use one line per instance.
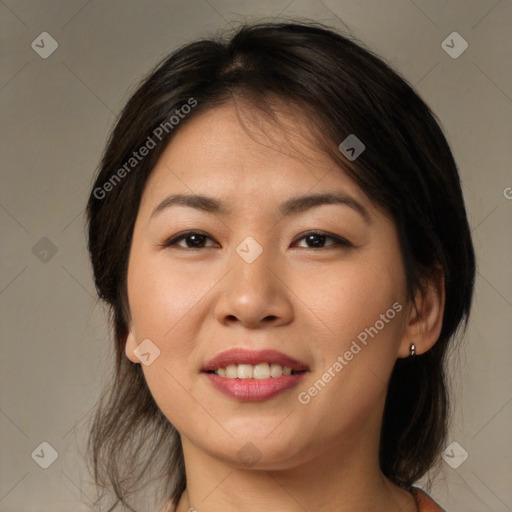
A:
(279, 230)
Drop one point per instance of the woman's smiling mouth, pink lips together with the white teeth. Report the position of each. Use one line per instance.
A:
(253, 375)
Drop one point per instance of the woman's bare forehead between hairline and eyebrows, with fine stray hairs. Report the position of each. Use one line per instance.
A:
(236, 151)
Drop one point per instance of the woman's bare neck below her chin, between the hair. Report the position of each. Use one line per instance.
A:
(344, 480)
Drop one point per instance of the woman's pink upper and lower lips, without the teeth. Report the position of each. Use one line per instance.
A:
(253, 390)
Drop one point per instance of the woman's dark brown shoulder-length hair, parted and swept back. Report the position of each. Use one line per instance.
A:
(406, 169)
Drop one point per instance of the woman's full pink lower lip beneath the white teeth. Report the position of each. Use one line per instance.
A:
(254, 390)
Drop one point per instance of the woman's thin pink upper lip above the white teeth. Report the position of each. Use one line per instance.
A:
(236, 356)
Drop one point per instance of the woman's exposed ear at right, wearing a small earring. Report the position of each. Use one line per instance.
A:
(425, 322)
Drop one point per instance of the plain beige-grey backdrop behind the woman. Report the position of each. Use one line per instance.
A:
(56, 114)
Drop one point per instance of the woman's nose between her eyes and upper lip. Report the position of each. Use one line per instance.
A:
(255, 294)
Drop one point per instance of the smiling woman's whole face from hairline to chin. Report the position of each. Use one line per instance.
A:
(251, 290)
